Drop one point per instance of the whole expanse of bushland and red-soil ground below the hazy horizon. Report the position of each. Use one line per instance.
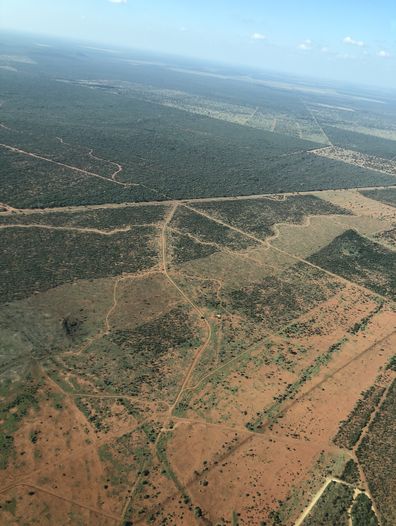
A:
(197, 311)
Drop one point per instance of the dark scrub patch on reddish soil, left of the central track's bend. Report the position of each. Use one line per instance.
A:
(146, 361)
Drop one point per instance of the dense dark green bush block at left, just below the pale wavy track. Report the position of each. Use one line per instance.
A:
(38, 259)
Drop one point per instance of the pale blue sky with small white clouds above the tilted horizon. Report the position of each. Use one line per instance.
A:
(346, 40)
